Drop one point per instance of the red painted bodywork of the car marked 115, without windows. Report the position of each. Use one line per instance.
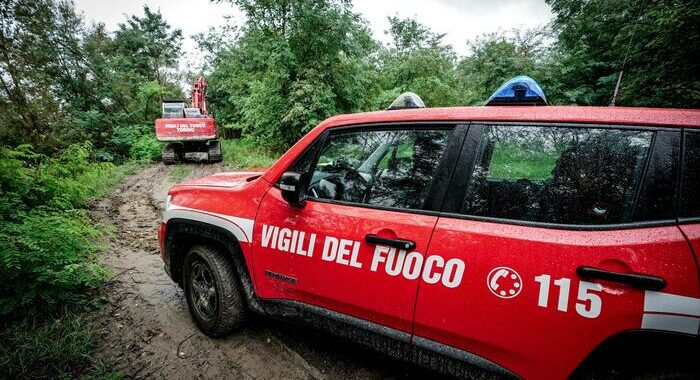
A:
(518, 332)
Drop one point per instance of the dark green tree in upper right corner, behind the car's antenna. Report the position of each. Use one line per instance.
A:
(654, 44)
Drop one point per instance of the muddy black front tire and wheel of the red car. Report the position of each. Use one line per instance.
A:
(223, 311)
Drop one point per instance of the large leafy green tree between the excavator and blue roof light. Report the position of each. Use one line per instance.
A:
(293, 64)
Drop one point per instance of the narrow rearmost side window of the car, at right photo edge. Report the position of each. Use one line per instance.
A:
(690, 201)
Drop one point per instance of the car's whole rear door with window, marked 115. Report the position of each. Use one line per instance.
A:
(541, 214)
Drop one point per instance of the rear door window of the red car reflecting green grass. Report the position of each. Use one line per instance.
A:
(557, 174)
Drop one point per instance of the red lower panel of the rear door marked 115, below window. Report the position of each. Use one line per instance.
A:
(516, 332)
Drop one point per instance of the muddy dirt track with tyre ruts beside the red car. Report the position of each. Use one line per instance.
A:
(148, 332)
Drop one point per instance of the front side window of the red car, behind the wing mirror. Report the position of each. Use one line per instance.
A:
(393, 168)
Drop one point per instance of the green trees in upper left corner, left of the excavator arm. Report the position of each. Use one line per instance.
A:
(63, 83)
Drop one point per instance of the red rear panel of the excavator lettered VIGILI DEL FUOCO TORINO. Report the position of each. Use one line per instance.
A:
(186, 129)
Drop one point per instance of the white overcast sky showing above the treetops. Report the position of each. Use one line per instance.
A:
(460, 20)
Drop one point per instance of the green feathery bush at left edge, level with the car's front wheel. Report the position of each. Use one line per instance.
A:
(47, 261)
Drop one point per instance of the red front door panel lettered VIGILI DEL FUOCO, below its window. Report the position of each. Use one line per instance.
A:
(343, 282)
